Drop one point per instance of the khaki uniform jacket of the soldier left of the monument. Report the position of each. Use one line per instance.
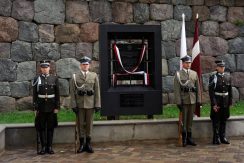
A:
(80, 84)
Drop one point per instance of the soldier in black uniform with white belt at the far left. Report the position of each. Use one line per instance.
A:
(46, 103)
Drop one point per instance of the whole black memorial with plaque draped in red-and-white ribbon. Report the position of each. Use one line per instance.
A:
(130, 64)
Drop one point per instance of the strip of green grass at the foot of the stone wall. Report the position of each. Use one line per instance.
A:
(66, 115)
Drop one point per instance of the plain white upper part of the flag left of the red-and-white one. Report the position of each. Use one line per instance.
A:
(183, 49)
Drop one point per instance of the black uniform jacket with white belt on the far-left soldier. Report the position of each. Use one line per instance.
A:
(46, 95)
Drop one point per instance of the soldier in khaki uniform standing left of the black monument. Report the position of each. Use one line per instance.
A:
(85, 98)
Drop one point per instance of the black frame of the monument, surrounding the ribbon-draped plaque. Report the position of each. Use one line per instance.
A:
(131, 99)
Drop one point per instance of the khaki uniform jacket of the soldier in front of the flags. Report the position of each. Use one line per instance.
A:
(187, 92)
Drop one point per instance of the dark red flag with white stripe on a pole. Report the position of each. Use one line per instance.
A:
(196, 60)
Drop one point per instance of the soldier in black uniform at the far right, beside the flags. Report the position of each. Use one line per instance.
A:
(220, 92)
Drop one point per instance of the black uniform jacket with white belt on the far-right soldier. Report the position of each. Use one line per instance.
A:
(220, 90)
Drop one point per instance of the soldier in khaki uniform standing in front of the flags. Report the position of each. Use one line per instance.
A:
(187, 95)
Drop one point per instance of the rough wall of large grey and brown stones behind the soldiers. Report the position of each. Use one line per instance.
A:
(65, 30)
